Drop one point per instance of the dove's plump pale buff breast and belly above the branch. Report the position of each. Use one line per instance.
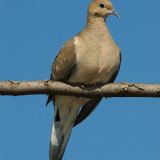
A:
(95, 62)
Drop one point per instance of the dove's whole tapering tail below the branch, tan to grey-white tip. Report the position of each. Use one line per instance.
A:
(66, 110)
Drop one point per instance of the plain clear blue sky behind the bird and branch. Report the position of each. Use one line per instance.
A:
(31, 33)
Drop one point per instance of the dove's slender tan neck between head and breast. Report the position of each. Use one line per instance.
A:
(97, 25)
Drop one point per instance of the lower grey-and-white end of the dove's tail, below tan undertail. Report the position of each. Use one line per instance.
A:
(59, 139)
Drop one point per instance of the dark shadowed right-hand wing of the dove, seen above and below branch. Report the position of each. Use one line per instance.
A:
(88, 108)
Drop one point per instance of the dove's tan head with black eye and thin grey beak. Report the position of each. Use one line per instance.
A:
(101, 8)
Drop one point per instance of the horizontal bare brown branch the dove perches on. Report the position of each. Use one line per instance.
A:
(15, 88)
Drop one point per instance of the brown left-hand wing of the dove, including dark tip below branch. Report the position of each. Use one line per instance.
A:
(64, 64)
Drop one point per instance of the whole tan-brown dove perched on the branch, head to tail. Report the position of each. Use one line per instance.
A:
(91, 57)
